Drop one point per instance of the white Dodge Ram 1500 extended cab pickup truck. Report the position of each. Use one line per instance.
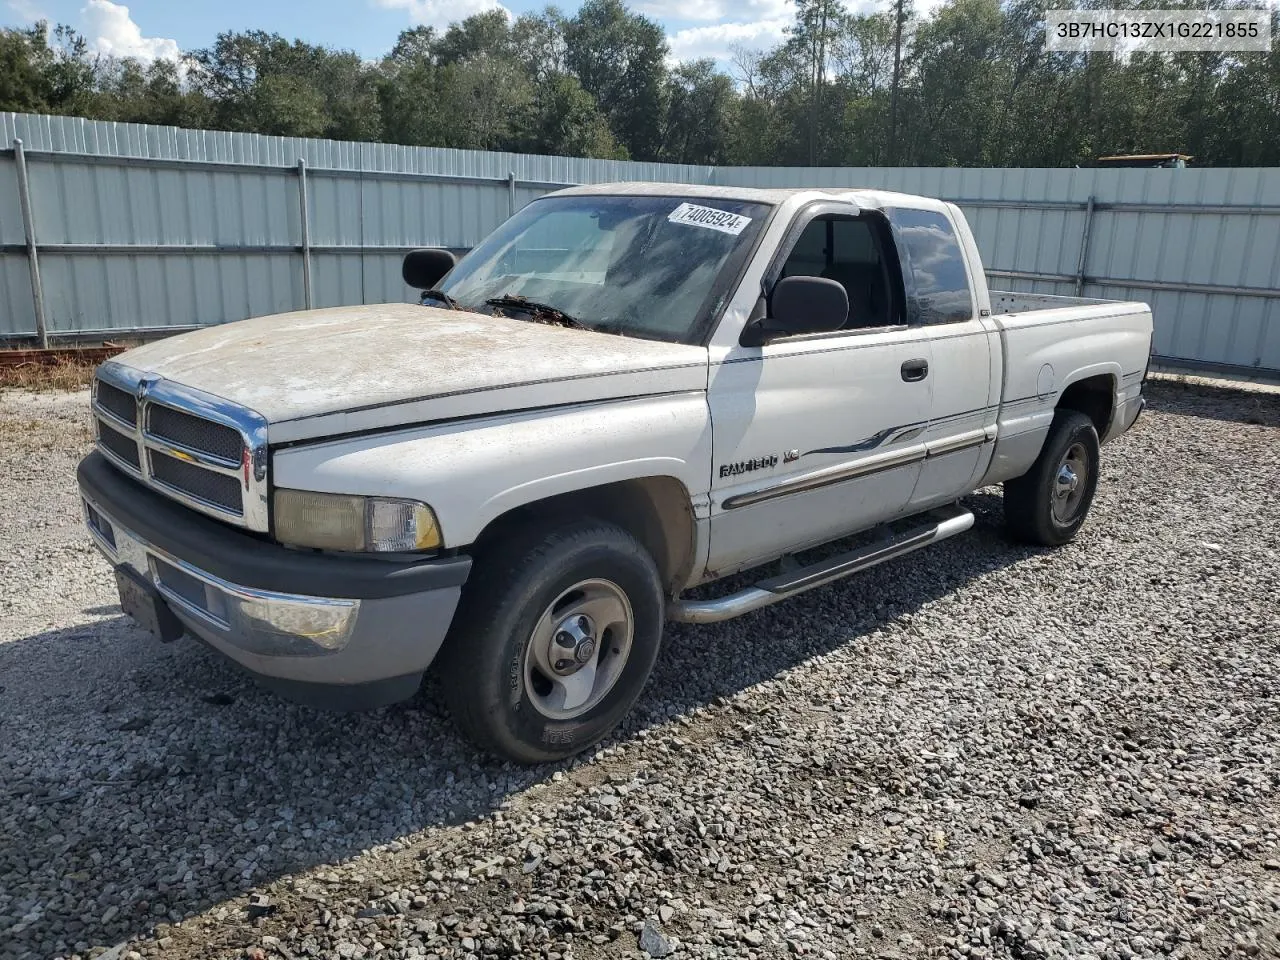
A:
(623, 394)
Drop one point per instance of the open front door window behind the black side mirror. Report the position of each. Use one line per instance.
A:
(847, 250)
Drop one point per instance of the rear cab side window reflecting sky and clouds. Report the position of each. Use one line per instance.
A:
(934, 268)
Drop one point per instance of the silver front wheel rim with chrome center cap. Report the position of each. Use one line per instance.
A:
(578, 650)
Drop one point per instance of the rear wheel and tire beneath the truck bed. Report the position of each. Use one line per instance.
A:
(1050, 502)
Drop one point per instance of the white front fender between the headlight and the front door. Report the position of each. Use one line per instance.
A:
(473, 472)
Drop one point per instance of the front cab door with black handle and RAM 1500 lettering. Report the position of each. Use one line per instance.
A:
(820, 436)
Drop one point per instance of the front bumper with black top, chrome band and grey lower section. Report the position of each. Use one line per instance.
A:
(345, 633)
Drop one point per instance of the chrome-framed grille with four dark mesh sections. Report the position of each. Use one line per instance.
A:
(194, 447)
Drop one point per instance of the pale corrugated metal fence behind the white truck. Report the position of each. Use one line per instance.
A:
(157, 227)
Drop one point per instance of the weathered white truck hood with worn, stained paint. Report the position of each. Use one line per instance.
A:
(323, 373)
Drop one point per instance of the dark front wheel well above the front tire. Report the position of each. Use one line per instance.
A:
(655, 510)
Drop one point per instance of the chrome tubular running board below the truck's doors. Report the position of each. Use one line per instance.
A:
(948, 522)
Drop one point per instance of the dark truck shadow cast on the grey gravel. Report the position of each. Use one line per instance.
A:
(184, 785)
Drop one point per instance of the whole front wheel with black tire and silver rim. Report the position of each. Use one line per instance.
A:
(554, 642)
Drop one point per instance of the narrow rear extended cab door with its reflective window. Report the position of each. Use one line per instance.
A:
(945, 300)
